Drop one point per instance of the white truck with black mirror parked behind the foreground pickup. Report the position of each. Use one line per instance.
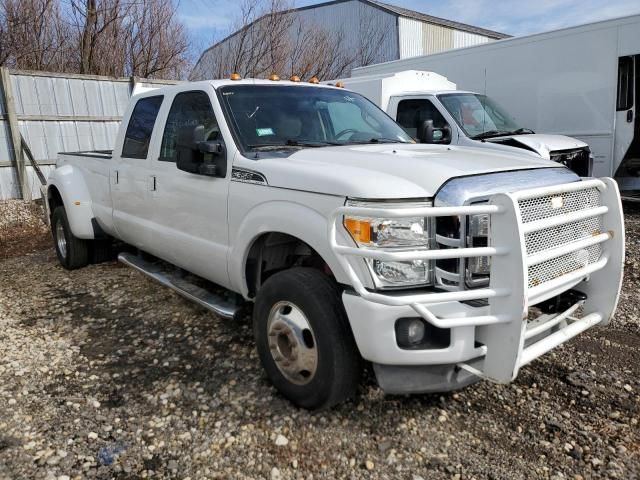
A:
(431, 110)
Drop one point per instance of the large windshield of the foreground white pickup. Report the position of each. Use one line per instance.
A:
(280, 117)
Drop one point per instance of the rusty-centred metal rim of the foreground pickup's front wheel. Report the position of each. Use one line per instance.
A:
(291, 343)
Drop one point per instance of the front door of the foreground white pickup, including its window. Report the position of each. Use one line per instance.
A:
(189, 211)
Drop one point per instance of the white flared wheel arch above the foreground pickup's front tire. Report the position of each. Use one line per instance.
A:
(293, 219)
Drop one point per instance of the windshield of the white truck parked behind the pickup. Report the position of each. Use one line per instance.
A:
(478, 115)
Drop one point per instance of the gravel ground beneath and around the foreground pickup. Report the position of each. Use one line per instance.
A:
(104, 374)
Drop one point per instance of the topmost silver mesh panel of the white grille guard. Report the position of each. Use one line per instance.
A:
(539, 208)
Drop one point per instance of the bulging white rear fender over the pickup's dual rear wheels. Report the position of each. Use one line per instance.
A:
(70, 182)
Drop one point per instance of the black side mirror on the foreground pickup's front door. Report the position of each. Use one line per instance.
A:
(197, 155)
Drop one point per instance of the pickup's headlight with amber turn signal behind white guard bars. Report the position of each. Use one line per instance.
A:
(411, 233)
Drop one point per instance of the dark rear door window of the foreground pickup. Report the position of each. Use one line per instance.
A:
(140, 128)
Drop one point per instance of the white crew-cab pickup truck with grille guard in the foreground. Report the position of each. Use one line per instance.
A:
(440, 265)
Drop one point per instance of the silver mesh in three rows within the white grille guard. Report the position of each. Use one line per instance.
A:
(547, 207)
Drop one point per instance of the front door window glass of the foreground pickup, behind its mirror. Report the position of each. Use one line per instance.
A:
(189, 109)
